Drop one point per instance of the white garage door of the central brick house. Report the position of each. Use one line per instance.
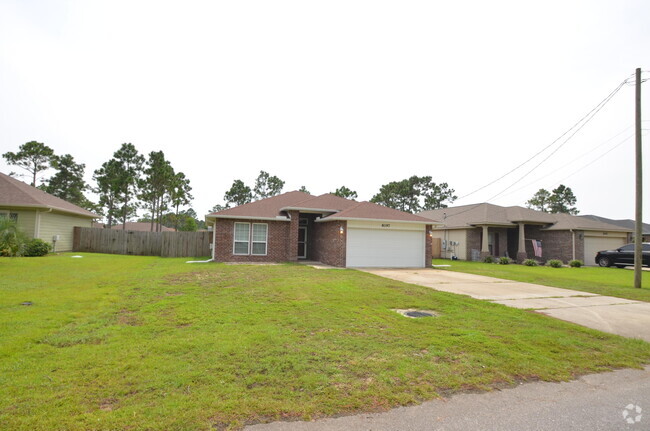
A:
(385, 248)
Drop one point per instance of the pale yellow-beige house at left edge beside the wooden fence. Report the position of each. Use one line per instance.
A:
(41, 215)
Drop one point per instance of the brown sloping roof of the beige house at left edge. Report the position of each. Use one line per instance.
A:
(15, 193)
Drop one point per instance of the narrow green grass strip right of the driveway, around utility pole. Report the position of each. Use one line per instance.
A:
(603, 281)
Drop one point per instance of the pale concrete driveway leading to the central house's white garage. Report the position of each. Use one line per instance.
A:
(604, 313)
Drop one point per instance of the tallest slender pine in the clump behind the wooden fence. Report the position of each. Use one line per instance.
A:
(130, 168)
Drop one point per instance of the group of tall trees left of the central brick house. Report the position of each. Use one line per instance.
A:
(125, 183)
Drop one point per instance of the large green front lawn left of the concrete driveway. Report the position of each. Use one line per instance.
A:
(146, 343)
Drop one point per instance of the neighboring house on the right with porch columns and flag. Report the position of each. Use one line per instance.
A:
(510, 231)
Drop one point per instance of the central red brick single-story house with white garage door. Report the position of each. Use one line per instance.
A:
(327, 228)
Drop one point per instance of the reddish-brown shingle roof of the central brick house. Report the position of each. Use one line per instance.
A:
(330, 207)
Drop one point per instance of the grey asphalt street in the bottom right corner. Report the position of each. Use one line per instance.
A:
(606, 401)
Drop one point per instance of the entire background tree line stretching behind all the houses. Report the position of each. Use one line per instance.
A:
(129, 181)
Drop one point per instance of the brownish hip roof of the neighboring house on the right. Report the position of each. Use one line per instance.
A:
(468, 216)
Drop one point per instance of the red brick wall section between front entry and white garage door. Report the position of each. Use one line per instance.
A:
(329, 243)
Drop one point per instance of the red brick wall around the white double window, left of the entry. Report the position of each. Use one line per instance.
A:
(277, 247)
